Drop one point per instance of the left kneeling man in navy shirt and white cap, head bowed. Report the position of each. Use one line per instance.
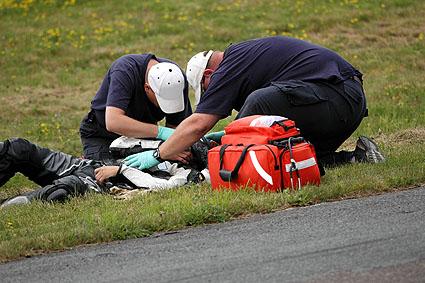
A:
(138, 91)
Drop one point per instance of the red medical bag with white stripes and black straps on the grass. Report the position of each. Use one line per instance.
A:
(274, 157)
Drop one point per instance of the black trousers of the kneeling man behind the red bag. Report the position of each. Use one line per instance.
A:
(326, 113)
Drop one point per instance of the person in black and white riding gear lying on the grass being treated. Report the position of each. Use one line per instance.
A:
(61, 175)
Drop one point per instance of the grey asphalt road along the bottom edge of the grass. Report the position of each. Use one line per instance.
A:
(379, 239)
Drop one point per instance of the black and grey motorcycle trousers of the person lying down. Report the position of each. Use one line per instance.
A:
(60, 175)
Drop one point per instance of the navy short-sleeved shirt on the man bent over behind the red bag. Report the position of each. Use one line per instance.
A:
(254, 64)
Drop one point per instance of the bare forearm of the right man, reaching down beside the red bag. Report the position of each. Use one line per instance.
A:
(187, 133)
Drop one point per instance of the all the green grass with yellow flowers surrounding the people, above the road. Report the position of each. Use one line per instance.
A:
(54, 54)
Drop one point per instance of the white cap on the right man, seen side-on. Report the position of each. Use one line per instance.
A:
(195, 70)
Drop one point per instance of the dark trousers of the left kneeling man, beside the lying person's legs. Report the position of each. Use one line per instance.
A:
(95, 138)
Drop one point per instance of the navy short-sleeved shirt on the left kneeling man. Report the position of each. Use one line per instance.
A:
(123, 87)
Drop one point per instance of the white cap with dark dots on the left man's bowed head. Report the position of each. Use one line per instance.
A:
(167, 82)
